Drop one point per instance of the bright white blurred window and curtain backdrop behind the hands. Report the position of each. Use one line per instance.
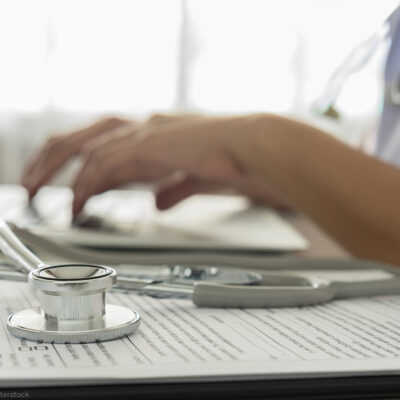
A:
(65, 63)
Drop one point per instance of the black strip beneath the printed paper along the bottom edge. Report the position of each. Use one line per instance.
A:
(352, 388)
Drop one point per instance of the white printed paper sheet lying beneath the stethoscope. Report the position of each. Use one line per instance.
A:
(178, 342)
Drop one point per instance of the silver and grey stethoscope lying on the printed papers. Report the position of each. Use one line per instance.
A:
(73, 304)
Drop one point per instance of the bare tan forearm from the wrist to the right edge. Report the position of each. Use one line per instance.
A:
(354, 197)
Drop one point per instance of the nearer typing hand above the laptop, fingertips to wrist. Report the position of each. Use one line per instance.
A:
(184, 157)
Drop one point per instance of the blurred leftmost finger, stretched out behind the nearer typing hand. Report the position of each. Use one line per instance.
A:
(58, 150)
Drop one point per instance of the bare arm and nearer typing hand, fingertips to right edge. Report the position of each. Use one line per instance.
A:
(352, 196)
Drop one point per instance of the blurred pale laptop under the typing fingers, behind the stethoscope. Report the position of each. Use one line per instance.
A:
(128, 219)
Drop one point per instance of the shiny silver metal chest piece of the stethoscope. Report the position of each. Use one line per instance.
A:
(73, 307)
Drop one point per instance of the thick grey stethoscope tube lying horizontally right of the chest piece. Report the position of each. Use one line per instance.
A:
(221, 295)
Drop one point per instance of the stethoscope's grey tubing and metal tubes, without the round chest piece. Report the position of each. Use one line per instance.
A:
(278, 289)
